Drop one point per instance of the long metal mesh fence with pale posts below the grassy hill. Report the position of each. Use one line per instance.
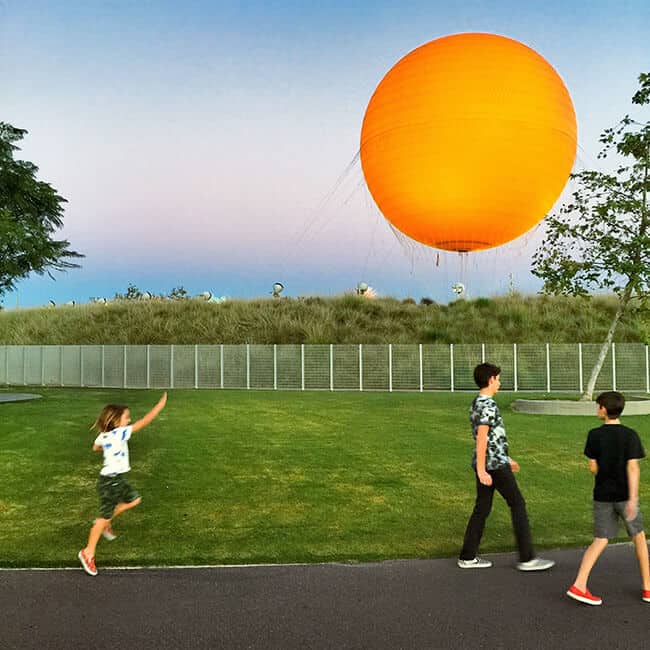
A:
(525, 367)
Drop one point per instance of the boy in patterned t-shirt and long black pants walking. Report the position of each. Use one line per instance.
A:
(494, 471)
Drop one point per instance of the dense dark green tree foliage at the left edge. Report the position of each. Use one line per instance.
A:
(30, 212)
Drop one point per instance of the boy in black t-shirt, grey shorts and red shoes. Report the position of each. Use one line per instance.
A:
(614, 451)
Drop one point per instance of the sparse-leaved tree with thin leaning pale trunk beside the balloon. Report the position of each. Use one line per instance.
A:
(601, 239)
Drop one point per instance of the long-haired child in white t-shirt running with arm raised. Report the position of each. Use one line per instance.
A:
(115, 494)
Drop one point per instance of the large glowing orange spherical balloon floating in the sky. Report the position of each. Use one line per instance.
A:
(468, 141)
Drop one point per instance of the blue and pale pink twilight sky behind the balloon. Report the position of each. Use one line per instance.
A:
(211, 145)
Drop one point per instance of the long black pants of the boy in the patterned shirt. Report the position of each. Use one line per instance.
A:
(503, 480)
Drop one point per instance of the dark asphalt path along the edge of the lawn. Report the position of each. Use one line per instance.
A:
(395, 604)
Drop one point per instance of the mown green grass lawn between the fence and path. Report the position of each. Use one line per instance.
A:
(245, 477)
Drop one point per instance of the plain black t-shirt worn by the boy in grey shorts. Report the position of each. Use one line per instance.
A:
(611, 446)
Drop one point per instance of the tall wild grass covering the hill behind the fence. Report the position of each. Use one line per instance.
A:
(313, 320)
